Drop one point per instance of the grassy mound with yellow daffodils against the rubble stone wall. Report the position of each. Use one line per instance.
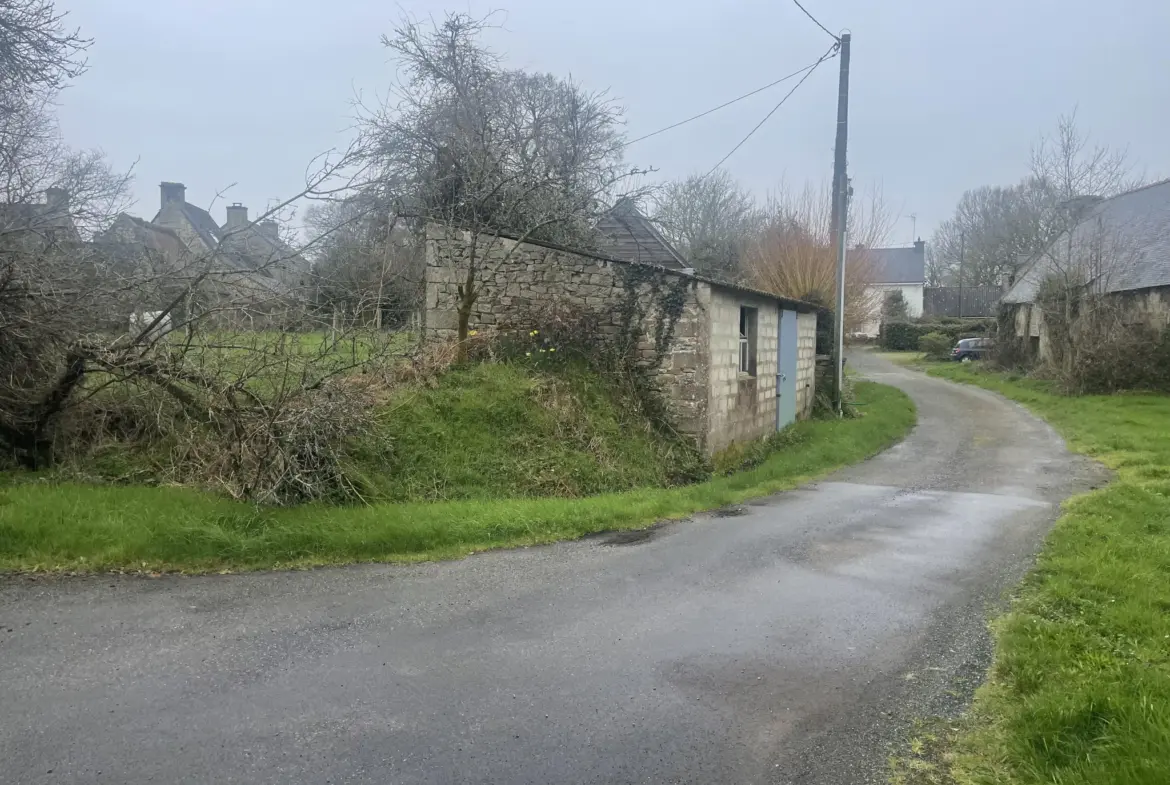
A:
(505, 431)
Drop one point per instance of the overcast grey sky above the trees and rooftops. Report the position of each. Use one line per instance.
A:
(946, 95)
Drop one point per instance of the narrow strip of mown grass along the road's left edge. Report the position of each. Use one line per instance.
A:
(74, 527)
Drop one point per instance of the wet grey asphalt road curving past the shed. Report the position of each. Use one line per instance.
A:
(788, 642)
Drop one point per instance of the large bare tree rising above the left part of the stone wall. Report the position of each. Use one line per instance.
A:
(487, 152)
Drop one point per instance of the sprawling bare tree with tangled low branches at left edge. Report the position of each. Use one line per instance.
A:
(115, 330)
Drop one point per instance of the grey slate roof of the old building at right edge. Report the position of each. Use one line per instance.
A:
(1132, 230)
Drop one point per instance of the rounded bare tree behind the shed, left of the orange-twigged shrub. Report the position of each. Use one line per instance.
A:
(711, 219)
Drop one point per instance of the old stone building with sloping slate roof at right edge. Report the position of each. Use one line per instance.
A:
(1119, 247)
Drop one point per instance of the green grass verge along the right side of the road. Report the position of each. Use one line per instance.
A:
(1080, 688)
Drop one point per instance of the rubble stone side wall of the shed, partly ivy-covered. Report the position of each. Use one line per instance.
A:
(517, 280)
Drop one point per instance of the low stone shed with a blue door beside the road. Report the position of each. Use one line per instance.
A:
(734, 364)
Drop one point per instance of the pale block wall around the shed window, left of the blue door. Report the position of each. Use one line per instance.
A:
(742, 408)
